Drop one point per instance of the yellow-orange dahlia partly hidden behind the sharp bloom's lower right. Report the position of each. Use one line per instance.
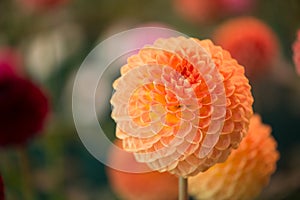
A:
(245, 172)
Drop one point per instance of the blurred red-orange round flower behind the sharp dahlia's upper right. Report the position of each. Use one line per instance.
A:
(249, 40)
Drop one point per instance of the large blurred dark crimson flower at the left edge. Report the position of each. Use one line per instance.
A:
(23, 108)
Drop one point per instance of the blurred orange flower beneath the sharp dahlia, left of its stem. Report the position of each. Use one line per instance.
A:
(139, 186)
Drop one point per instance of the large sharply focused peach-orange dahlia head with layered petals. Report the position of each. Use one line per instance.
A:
(181, 105)
